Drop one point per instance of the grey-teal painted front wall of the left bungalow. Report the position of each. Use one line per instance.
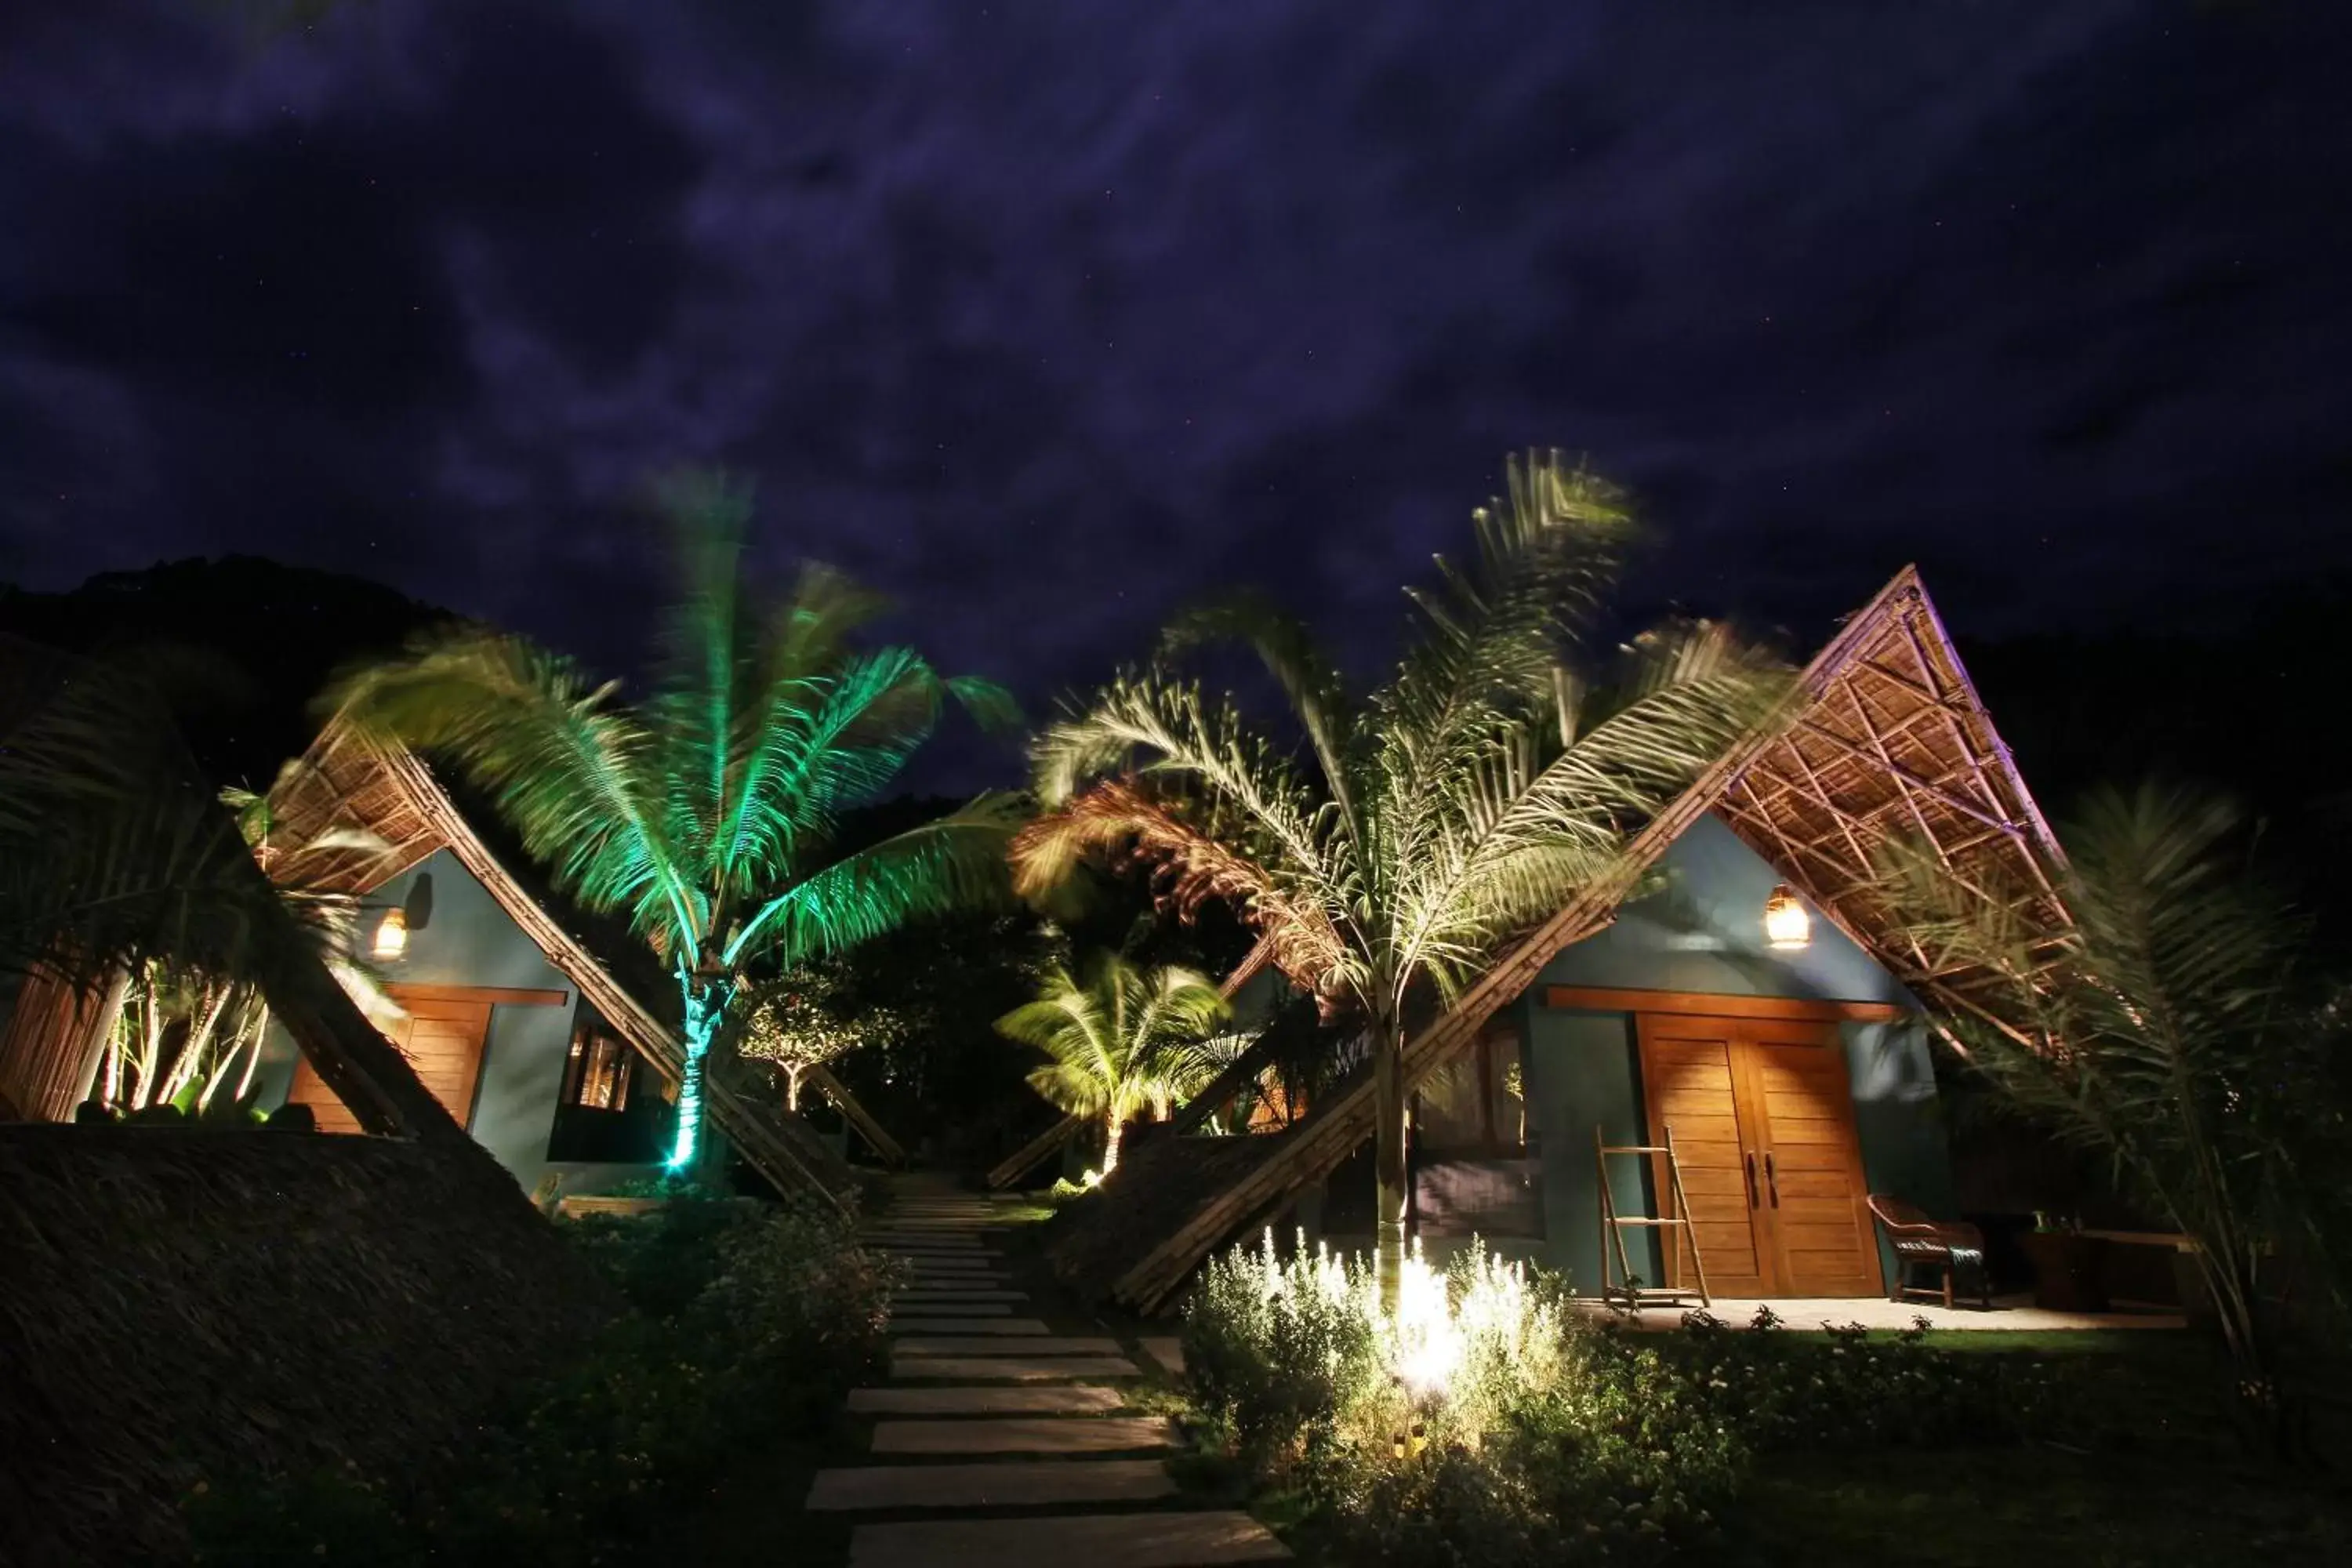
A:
(472, 942)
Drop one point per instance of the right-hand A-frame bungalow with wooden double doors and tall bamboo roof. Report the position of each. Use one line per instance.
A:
(1798, 1080)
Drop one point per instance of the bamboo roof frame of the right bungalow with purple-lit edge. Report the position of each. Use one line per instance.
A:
(1883, 737)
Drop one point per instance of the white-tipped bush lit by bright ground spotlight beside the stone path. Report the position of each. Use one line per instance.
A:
(1478, 1423)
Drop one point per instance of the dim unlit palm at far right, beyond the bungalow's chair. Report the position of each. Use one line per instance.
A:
(2172, 1033)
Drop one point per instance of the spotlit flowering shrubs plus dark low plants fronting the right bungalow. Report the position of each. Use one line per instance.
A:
(1490, 1423)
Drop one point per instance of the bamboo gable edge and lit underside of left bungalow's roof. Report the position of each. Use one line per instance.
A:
(349, 779)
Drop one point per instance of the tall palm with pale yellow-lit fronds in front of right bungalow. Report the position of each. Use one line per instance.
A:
(1431, 819)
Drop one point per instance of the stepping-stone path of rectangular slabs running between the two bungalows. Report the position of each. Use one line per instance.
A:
(996, 1407)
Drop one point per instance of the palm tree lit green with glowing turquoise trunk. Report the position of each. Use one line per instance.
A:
(709, 810)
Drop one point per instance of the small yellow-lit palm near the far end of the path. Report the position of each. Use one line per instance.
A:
(1121, 1040)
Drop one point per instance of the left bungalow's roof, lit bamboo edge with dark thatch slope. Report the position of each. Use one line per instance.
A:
(349, 779)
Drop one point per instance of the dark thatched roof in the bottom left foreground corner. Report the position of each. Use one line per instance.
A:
(201, 1304)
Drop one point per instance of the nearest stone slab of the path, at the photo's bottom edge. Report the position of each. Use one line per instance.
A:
(1128, 1541)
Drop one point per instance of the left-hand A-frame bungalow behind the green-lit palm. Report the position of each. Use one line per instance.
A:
(542, 1028)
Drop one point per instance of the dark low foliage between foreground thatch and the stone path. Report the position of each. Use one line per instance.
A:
(744, 1327)
